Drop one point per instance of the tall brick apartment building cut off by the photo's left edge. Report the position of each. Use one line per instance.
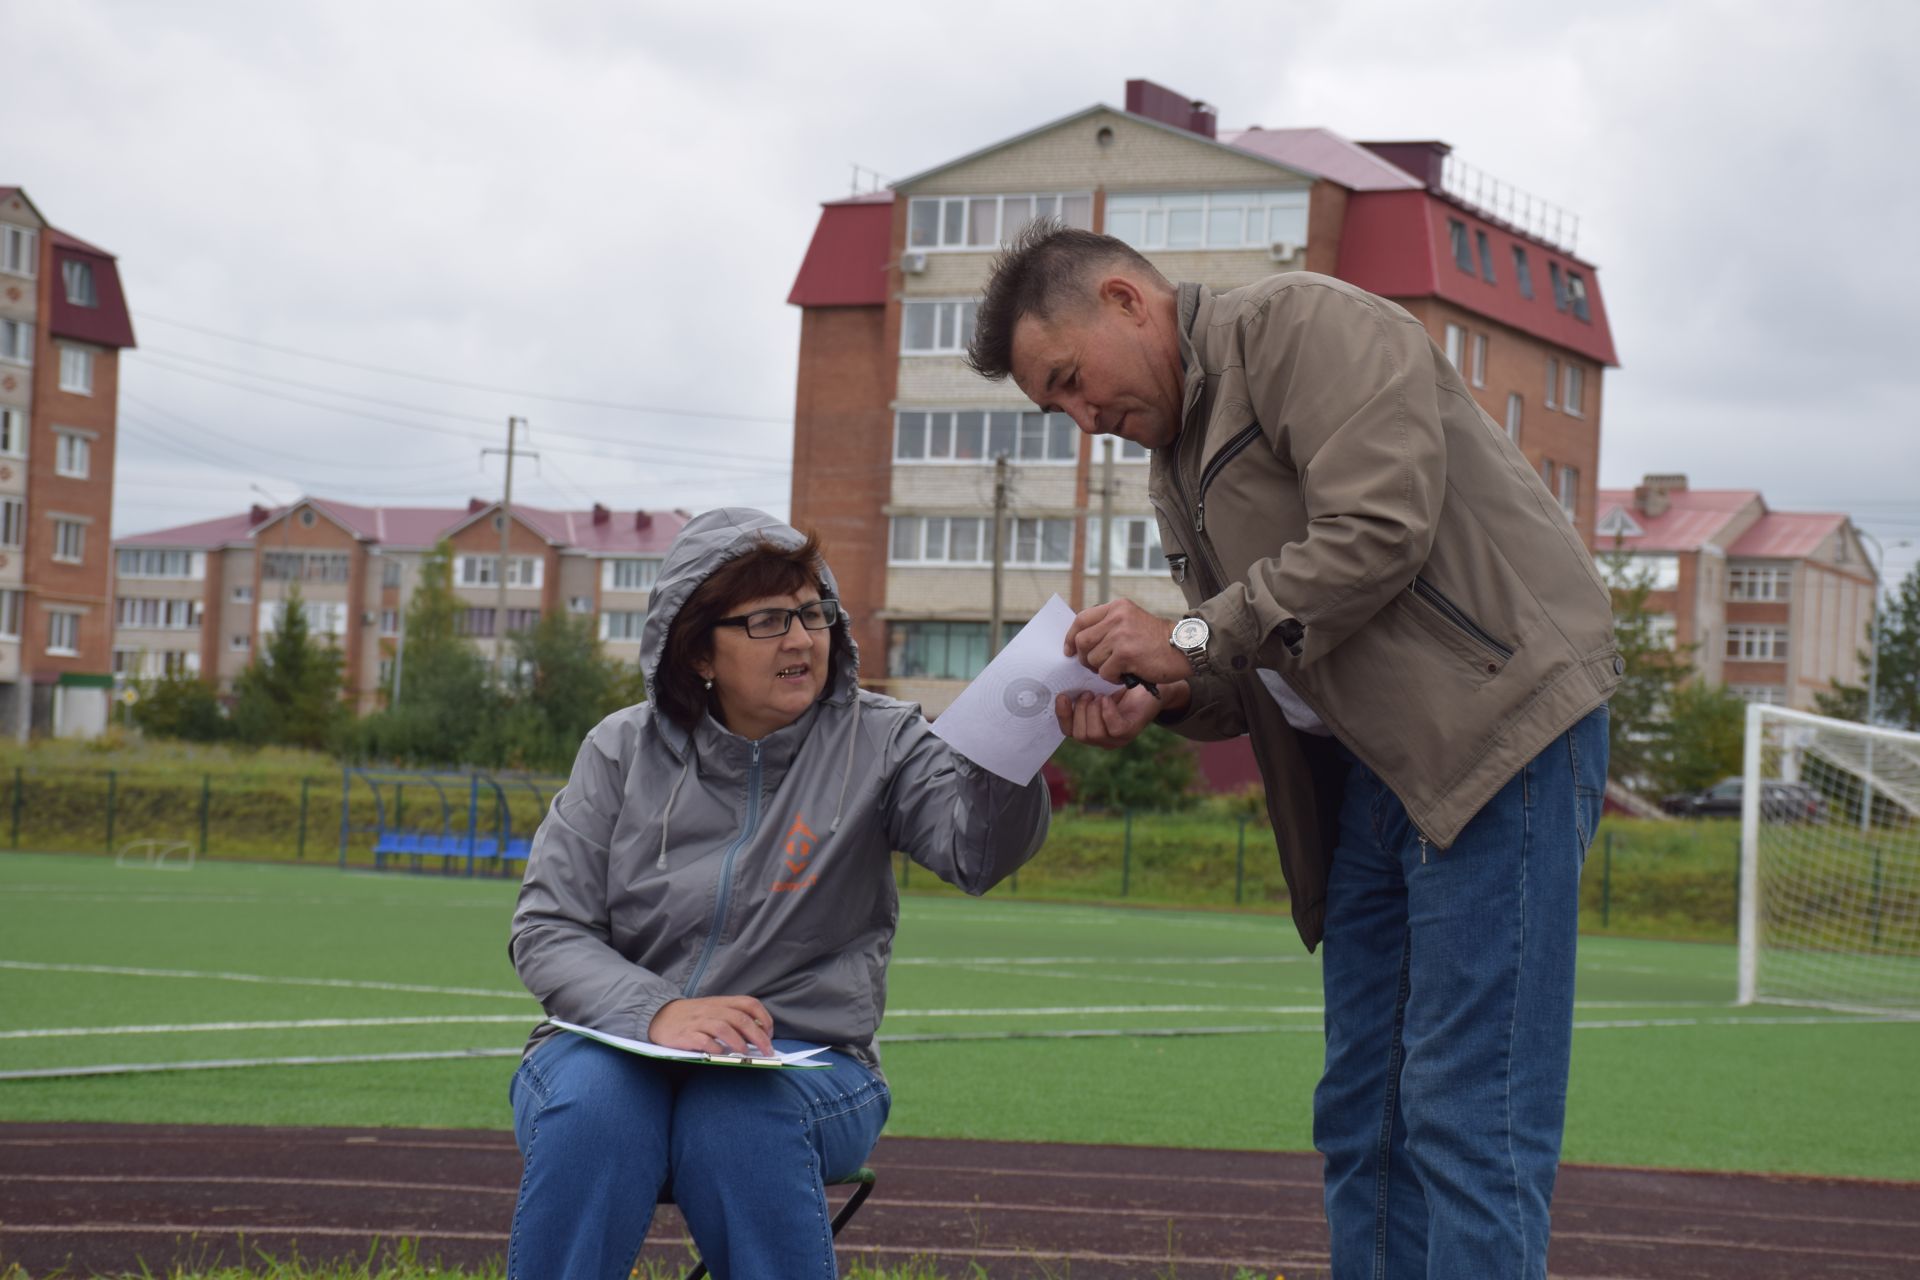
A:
(62, 327)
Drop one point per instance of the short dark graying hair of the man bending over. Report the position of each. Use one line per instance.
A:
(1047, 270)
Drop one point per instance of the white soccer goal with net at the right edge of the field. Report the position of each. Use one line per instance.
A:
(1831, 865)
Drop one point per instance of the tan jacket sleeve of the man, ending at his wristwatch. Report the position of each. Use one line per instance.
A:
(1347, 394)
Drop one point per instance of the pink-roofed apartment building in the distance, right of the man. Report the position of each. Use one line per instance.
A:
(1775, 605)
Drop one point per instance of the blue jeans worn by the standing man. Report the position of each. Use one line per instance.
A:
(1451, 1022)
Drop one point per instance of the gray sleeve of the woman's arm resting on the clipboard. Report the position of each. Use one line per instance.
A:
(562, 930)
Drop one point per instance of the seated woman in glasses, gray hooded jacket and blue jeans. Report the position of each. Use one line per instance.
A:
(719, 876)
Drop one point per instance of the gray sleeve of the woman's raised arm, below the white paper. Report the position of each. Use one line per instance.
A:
(955, 818)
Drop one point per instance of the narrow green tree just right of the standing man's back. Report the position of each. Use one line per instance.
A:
(1639, 723)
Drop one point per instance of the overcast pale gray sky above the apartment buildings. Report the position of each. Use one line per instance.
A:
(608, 202)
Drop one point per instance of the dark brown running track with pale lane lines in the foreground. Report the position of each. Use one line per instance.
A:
(105, 1198)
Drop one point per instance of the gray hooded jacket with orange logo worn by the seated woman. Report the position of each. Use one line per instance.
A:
(704, 865)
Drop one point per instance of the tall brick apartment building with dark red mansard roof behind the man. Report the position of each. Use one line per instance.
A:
(896, 440)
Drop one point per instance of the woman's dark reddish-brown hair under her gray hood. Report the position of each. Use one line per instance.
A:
(767, 569)
